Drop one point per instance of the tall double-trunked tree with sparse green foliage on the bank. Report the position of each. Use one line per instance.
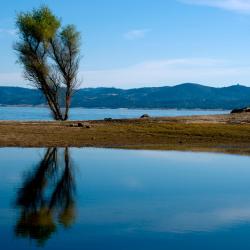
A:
(50, 56)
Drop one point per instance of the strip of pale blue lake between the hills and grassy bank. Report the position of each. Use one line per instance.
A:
(42, 113)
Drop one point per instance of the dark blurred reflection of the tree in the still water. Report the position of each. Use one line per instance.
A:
(46, 197)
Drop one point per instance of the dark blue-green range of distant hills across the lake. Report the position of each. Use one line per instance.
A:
(183, 96)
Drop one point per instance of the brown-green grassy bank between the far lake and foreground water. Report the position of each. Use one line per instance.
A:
(224, 133)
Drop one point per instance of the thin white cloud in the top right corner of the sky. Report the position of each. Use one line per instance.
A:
(233, 5)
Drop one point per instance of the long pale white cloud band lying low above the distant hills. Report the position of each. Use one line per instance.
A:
(207, 71)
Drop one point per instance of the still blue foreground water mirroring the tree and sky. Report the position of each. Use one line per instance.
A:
(117, 199)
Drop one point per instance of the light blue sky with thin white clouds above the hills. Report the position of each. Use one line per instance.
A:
(135, 43)
